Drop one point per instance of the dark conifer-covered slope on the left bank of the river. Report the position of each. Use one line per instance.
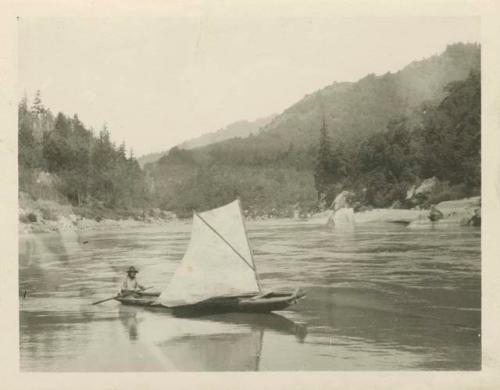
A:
(62, 160)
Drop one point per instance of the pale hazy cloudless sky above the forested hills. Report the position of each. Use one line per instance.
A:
(158, 81)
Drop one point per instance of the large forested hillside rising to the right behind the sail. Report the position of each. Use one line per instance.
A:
(368, 127)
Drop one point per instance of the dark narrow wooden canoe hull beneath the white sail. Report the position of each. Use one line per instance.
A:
(247, 304)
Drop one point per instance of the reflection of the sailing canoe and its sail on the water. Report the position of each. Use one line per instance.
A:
(222, 342)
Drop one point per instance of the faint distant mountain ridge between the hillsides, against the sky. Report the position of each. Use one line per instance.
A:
(239, 129)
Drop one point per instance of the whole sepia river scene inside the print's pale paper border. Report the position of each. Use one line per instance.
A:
(249, 193)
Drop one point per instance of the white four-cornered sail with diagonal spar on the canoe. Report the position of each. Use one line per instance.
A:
(218, 261)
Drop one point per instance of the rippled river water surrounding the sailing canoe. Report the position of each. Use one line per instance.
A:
(380, 297)
